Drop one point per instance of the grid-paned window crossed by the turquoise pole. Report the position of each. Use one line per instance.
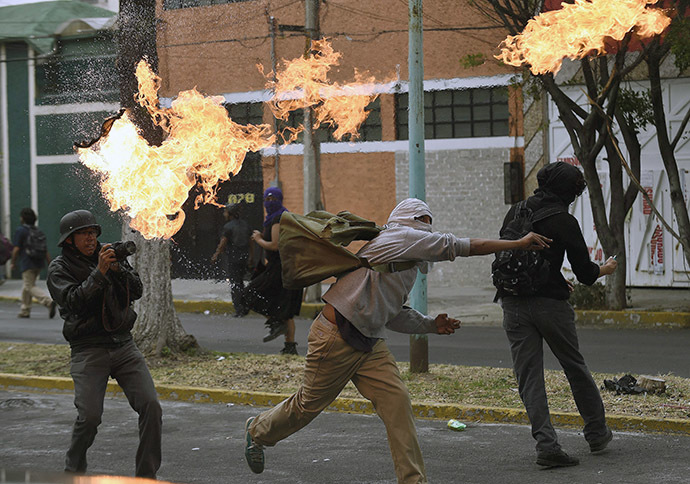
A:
(458, 113)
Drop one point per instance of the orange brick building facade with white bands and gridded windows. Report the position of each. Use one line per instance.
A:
(473, 117)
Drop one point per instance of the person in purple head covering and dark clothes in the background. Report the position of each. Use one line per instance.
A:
(265, 293)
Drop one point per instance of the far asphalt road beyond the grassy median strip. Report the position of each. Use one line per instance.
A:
(614, 351)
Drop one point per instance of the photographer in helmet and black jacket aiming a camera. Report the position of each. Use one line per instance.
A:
(94, 287)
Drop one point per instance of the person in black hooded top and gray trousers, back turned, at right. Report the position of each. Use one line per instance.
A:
(548, 316)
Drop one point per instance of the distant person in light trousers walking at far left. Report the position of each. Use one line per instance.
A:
(31, 250)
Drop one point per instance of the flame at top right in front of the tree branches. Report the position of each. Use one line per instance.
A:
(577, 30)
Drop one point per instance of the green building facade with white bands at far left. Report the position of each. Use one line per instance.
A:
(57, 84)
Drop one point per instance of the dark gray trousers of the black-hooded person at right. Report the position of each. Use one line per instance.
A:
(528, 322)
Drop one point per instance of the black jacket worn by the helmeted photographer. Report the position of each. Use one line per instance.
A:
(96, 308)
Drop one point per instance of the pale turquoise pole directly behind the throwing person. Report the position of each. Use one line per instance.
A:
(419, 343)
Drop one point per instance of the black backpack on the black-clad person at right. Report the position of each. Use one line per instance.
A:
(521, 272)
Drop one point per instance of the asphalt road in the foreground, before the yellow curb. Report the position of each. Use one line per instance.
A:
(203, 443)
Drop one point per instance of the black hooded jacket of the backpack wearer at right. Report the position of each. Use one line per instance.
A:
(558, 189)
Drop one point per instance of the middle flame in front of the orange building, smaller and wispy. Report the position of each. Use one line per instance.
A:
(303, 82)
